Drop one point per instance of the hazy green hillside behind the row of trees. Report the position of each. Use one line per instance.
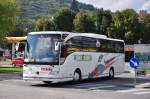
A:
(33, 9)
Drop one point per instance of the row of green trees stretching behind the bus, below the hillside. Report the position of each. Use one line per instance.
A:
(121, 24)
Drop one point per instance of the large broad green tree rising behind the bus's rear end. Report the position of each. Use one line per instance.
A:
(126, 22)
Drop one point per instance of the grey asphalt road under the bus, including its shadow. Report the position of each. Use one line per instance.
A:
(119, 88)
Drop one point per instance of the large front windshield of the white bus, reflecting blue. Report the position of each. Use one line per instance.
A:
(40, 48)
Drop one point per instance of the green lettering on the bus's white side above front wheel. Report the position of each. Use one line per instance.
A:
(82, 57)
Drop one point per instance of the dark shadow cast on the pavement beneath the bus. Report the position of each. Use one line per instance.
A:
(97, 84)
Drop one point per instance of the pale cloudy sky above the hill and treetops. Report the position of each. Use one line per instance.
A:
(115, 5)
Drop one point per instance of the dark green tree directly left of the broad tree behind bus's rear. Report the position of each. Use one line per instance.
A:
(102, 20)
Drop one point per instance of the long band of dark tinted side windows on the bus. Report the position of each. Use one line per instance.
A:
(88, 44)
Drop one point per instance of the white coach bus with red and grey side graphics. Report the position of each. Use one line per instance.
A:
(56, 56)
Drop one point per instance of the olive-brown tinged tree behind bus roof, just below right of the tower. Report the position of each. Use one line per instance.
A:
(83, 23)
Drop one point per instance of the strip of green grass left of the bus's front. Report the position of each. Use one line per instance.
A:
(11, 70)
